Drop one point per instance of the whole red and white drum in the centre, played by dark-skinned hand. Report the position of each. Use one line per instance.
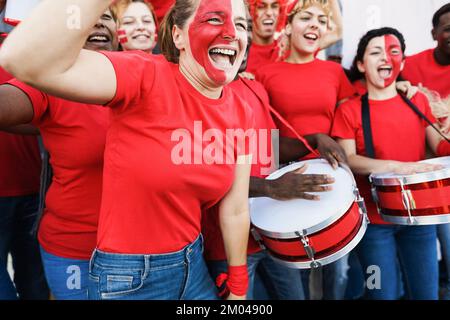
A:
(305, 234)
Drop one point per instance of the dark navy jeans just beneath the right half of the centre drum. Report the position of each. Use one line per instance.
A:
(335, 278)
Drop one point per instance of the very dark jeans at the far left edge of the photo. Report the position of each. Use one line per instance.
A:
(17, 217)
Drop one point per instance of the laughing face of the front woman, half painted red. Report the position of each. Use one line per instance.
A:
(218, 38)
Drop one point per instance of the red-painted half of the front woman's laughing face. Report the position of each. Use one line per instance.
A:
(213, 23)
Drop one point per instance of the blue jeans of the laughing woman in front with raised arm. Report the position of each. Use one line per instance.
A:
(180, 275)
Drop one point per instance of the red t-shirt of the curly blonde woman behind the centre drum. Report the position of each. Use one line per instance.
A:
(305, 95)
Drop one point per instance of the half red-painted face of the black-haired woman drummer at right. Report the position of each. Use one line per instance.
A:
(383, 61)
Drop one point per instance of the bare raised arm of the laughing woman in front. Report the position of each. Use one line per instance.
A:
(45, 51)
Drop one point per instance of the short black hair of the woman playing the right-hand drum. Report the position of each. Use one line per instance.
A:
(354, 73)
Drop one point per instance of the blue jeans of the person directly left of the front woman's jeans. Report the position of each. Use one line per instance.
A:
(67, 278)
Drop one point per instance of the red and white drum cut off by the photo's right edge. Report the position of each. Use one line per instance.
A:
(419, 199)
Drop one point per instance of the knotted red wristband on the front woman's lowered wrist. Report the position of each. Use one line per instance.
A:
(236, 281)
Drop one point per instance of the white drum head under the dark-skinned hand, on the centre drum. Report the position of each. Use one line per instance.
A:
(282, 219)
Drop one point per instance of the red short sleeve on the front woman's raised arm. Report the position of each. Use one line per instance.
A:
(135, 75)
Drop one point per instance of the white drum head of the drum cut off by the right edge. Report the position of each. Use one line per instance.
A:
(392, 179)
